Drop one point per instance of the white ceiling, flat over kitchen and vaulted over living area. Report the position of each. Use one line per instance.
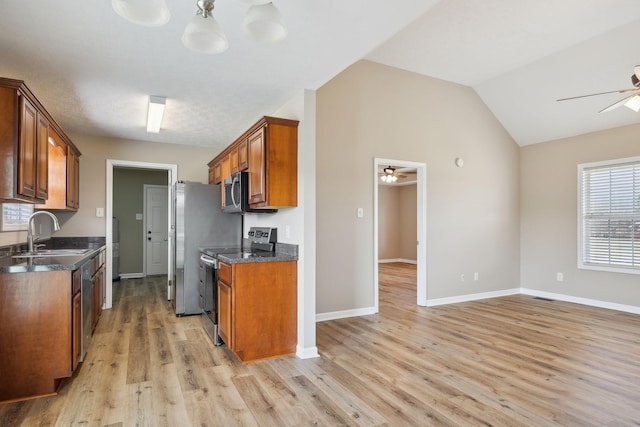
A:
(94, 71)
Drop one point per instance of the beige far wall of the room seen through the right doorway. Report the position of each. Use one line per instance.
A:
(397, 222)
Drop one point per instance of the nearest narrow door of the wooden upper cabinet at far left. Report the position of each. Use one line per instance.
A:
(27, 151)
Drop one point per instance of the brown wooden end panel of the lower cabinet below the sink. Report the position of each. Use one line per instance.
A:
(35, 332)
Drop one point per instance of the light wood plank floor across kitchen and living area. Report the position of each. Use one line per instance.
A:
(504, 362)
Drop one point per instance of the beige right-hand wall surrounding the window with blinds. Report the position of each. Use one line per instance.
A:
(549, 175)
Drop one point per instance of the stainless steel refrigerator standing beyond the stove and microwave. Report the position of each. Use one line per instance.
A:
(198, 222)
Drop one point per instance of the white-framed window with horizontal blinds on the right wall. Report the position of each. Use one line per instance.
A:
(609, 215)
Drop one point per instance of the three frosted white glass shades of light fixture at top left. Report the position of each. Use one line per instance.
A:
(262, 23)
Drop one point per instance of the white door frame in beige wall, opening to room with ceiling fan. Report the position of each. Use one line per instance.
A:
(421, 224)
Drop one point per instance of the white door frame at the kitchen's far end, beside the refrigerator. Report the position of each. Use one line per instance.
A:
(172, 177)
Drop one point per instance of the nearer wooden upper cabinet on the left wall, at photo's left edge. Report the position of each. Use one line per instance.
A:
(25, 127)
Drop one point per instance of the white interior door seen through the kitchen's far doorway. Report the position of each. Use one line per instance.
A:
(156, 230)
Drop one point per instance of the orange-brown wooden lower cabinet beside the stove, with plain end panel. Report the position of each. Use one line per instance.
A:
(258, 308)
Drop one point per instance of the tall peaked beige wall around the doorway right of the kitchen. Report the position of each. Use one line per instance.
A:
(370, 111)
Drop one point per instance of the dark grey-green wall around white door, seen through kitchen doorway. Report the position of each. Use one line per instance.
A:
(128, 200)
